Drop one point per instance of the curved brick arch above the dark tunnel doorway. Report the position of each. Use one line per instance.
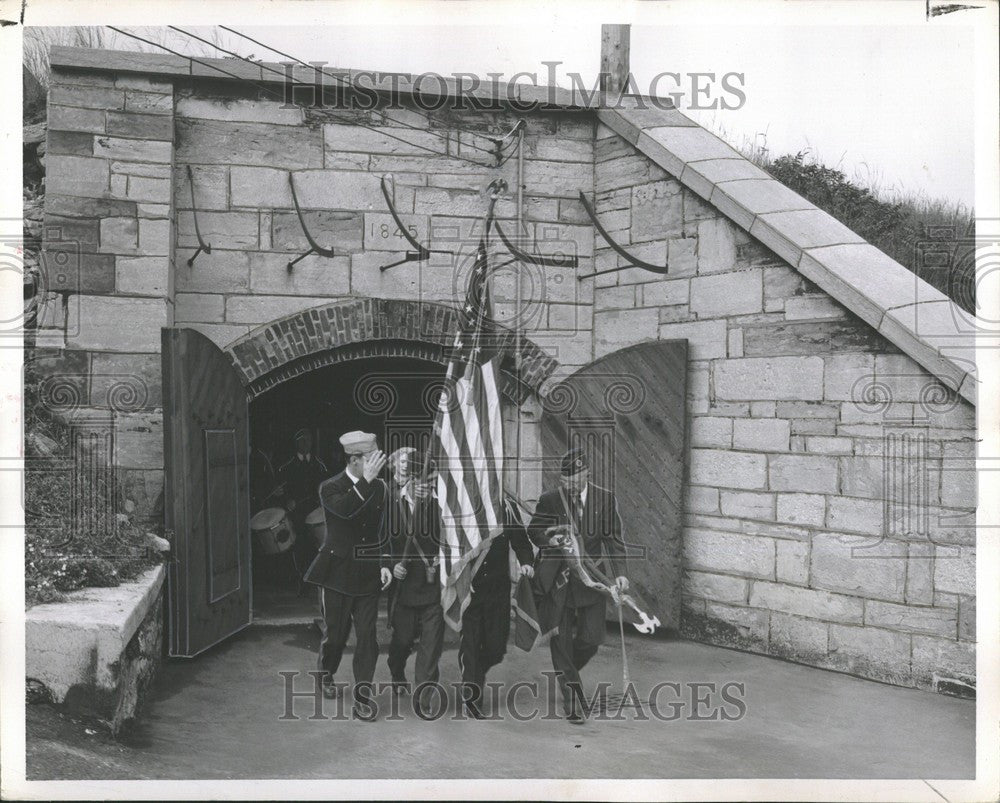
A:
(366, 327)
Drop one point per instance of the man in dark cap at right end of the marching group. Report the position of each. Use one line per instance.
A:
(587, 514)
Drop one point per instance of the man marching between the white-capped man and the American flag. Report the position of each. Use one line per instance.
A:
(417, 615)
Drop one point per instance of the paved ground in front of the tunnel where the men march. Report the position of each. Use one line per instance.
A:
(219, 716)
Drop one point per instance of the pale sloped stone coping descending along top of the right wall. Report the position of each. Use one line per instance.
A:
(907, 311)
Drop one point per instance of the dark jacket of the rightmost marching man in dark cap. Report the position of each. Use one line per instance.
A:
(598, 526)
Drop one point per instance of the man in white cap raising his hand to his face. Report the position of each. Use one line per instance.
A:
(352, 567)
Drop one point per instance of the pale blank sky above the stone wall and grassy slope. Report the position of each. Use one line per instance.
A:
(889, 104)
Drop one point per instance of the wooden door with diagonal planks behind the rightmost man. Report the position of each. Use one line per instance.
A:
(627, 410)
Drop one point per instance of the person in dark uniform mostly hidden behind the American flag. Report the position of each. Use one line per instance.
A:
(486, 622)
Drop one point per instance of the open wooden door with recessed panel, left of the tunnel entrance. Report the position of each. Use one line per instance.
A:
(206, 502)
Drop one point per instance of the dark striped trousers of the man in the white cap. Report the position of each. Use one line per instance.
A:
(339, 612)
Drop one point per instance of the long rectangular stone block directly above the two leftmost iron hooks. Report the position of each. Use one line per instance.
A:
(226, 143)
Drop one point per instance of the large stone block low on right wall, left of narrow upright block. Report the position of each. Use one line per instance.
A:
(859, 565)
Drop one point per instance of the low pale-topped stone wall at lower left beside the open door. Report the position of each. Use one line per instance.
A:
(77, 647)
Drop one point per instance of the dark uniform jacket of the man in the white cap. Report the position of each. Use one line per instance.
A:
(356, 545)
